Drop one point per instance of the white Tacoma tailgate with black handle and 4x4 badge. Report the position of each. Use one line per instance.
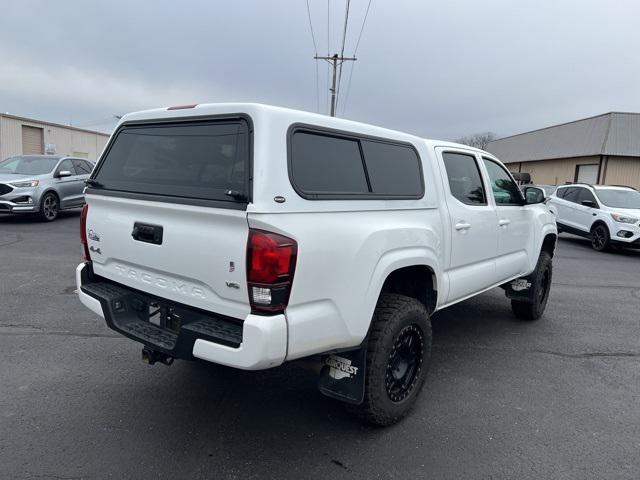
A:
(199, 259)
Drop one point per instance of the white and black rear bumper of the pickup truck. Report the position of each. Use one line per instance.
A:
(255, 343)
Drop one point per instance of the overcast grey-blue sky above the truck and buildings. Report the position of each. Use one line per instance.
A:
(438, 69)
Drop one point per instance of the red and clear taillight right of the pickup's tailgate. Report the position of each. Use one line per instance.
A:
(271, 262)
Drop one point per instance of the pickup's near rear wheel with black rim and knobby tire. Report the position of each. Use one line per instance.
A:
(398, 356)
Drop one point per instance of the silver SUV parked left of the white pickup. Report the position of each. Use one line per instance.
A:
(42, 184)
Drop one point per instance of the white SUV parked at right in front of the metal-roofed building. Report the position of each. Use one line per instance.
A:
(607, 215)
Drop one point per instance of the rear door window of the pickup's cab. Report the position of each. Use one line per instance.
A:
(464, 177)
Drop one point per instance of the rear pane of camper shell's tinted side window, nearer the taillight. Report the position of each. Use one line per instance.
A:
(324, 164)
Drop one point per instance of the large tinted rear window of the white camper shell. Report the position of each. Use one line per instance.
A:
(205, 160)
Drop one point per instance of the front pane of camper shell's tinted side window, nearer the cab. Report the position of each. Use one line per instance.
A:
(393, 169)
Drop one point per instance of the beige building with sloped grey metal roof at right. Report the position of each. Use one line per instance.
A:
(604, 149)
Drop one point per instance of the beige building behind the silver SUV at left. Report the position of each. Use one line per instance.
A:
(26, 136)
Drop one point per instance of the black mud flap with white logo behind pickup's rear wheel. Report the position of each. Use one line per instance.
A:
(343, 374)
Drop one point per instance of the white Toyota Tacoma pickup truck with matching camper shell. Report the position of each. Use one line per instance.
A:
(249, 236)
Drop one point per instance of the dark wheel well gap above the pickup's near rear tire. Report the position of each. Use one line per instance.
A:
(416, 281)
